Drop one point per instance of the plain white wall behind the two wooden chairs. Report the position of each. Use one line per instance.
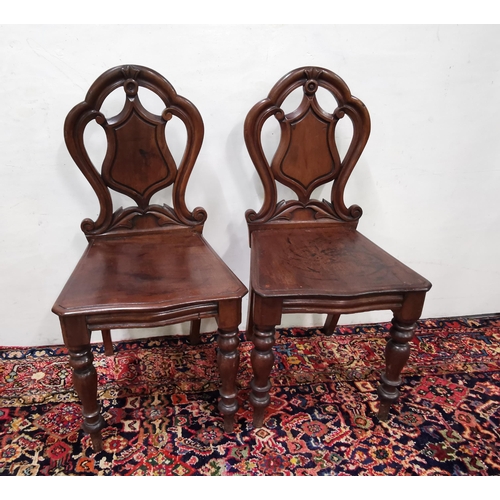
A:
(428, 181)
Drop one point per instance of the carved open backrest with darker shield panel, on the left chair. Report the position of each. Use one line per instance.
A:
(138, 161)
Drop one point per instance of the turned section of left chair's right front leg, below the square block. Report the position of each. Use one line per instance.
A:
(228, 359)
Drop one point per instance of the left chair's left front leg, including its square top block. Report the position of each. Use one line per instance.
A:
(77, 339)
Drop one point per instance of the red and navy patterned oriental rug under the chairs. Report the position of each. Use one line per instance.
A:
(159, 398)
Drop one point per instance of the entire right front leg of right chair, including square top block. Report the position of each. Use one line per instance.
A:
(397, 351)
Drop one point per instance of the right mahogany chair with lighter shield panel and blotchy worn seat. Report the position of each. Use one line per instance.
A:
(307, 255)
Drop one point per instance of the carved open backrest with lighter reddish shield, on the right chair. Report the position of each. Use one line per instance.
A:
(307, 155)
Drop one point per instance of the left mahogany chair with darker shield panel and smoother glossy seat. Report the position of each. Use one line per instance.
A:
(146, 265)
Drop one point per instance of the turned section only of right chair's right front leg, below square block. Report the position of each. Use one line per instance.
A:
(397, 353)
